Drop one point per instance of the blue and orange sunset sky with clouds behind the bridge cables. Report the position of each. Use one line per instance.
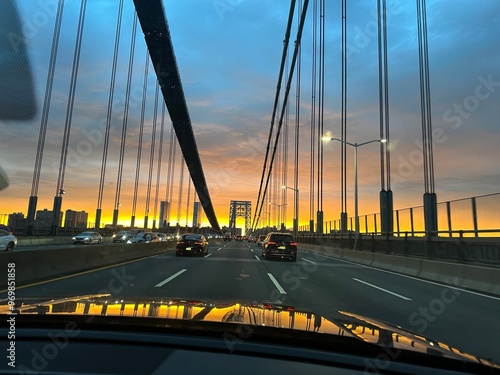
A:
(228, 53)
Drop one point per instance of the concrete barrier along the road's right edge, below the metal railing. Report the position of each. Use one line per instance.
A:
(478, 278)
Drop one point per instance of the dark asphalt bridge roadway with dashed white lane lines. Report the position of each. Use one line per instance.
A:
(235, 271)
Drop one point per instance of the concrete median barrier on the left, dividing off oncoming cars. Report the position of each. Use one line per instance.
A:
(33, 265)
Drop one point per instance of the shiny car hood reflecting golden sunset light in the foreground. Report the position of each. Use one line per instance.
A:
(264, 314)
